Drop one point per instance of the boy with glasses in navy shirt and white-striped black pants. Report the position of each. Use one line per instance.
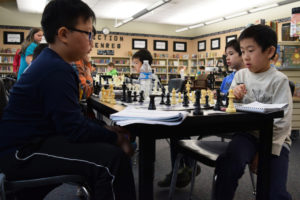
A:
(43, 132)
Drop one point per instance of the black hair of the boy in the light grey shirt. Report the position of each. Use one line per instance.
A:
(263, 35)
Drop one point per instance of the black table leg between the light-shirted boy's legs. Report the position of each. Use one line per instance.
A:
(265, 149)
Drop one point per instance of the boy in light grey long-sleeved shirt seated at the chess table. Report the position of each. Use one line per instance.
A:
(264, 84)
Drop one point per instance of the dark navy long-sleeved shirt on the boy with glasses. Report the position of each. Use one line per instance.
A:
(44, 102)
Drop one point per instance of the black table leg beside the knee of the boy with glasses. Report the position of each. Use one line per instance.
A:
(146, 167)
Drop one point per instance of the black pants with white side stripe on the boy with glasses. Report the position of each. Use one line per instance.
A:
(106, 167)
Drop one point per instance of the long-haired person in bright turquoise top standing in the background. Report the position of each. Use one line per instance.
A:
(32, 40)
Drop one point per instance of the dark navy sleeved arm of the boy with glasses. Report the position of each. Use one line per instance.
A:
(61, 106)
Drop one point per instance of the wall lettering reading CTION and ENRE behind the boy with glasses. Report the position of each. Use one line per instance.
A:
(105, 44)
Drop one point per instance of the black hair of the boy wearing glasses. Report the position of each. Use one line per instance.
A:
(63, 13)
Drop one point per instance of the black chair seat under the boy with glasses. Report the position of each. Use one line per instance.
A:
(12, 187)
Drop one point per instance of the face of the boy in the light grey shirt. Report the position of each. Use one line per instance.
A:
(254, 59)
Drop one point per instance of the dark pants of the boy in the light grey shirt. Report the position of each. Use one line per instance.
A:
(231, 165)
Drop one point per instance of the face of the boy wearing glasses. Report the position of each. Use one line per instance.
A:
(79, 43)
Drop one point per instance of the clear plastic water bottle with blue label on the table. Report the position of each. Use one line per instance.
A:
(146, 78)
